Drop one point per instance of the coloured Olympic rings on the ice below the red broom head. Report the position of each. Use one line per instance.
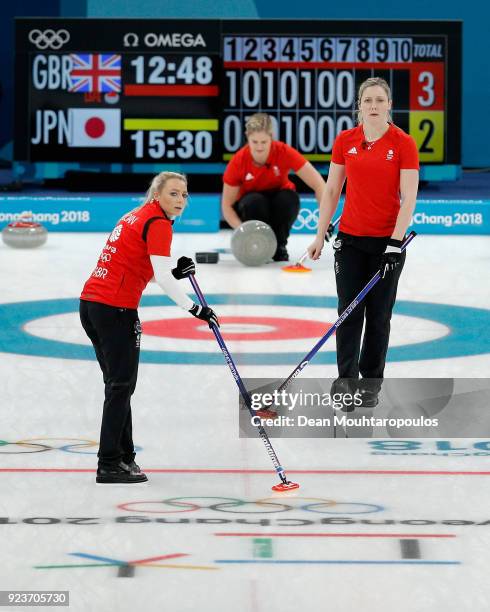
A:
(231, 505)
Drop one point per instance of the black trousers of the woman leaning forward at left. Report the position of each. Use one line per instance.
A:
(115, 334)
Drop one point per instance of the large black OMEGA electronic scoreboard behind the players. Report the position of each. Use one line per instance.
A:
(178, 92)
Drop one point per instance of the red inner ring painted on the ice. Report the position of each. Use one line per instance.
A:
(280, 328)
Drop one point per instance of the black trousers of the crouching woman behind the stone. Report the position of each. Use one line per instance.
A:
(278, 209)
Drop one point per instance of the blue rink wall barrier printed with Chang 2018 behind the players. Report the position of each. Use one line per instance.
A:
(98, 213)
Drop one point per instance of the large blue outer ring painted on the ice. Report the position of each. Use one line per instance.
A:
(469, 331)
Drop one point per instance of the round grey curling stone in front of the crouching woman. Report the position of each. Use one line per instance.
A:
(253, 243)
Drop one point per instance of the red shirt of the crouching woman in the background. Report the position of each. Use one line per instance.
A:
(242, 172)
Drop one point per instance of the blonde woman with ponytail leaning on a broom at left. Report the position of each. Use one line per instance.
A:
(137, 250)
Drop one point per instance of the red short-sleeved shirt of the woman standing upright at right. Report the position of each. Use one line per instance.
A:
(372, 200)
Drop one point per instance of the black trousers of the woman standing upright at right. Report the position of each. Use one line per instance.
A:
(357, 260)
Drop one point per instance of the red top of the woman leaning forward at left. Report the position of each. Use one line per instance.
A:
(124, 267)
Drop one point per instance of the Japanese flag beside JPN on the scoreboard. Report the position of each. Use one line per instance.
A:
(95, 127)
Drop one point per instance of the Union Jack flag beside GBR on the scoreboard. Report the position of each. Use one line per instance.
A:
(95, 73)
